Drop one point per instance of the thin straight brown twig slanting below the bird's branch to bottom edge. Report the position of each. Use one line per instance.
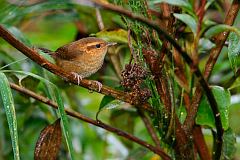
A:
(91, 121)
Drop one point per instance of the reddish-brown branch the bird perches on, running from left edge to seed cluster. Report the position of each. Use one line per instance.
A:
(33, 55)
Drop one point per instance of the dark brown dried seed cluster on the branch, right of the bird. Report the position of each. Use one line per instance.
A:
(133, 78)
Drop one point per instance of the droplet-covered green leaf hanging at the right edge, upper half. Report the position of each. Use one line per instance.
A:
(234, 50)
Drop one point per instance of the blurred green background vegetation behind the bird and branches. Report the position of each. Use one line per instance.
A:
(51, 24)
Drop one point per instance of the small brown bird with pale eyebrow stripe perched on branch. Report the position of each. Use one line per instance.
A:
(83, 57)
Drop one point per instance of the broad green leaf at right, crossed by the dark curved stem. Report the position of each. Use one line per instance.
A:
(205, 115)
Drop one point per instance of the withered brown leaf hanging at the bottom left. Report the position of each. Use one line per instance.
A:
(49, 142)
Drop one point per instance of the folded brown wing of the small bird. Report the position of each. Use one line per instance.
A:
(69, 51)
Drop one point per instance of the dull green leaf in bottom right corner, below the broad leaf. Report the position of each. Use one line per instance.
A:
(229, 144)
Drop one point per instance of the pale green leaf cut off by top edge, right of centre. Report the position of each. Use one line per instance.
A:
(181, 3)
